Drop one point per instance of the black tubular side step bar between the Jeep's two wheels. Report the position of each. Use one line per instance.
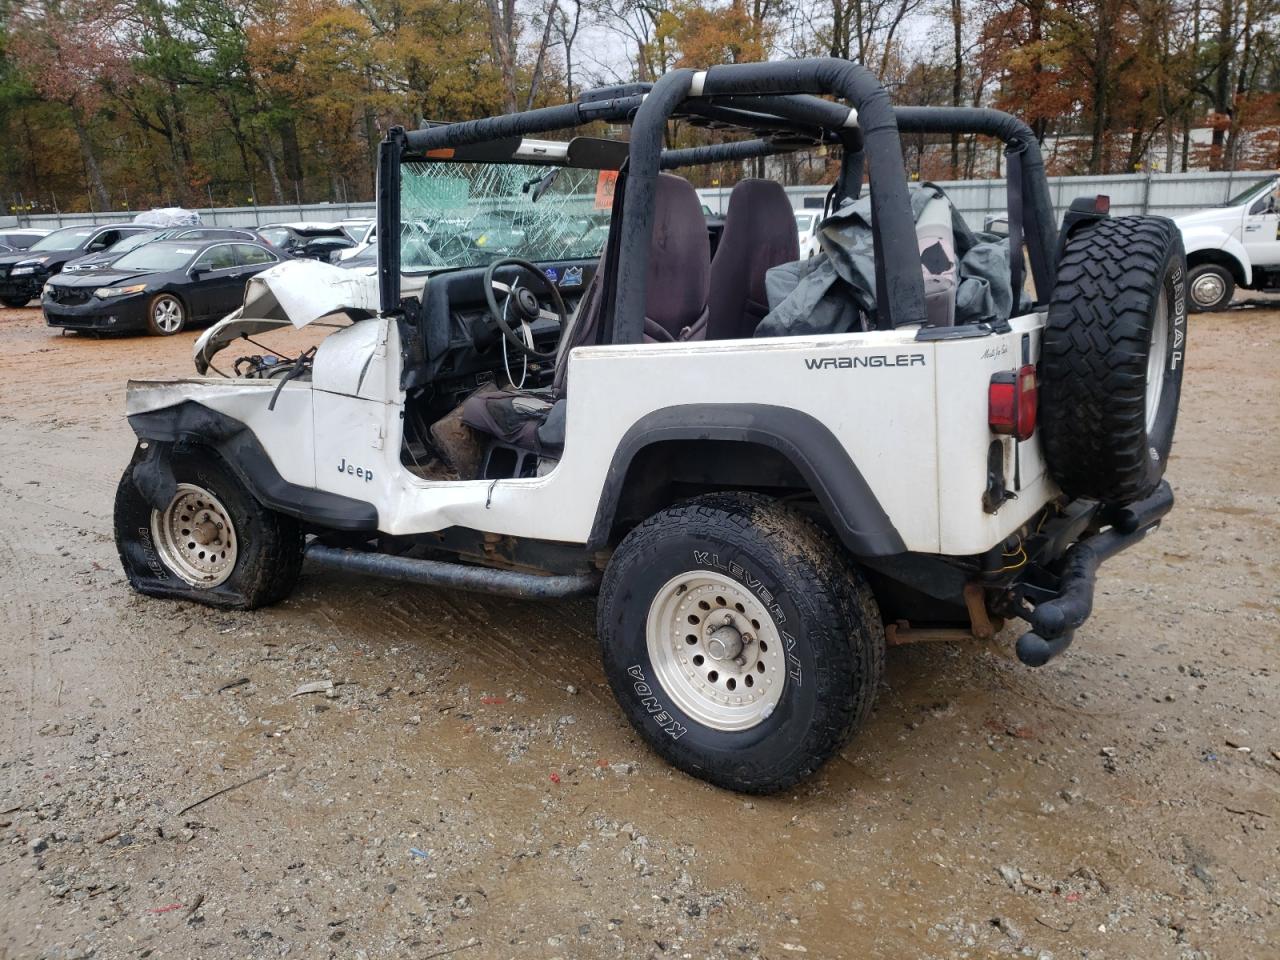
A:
(460, 577)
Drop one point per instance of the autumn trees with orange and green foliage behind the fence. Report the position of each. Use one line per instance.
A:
(131, 103)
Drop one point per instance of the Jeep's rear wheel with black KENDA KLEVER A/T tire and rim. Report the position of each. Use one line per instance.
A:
(739, 642)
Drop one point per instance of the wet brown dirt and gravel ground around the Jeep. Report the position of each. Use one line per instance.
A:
(469, 789)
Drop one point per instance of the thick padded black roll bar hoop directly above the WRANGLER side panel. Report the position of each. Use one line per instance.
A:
(897, 253)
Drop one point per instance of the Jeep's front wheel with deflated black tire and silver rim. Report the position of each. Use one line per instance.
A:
(213, 543)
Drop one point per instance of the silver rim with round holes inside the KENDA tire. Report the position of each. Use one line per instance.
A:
(716, 651)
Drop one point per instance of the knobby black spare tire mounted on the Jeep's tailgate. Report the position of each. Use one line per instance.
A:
(1112, 359)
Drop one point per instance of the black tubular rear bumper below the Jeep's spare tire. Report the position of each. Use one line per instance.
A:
(1054, 623)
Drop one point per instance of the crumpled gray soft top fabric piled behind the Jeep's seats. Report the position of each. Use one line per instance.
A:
(966, 273)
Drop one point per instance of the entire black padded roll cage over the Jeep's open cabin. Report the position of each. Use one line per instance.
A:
(772, 97)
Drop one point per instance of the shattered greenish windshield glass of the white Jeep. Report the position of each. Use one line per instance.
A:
(473, 214)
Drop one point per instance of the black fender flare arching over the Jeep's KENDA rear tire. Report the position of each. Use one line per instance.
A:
(849, 504)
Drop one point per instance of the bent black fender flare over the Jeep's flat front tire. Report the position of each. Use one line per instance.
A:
(240, 450)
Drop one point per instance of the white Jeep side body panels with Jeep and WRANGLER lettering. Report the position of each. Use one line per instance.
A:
(912, 417)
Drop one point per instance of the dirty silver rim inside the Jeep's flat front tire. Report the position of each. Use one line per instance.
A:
(195, 537)
